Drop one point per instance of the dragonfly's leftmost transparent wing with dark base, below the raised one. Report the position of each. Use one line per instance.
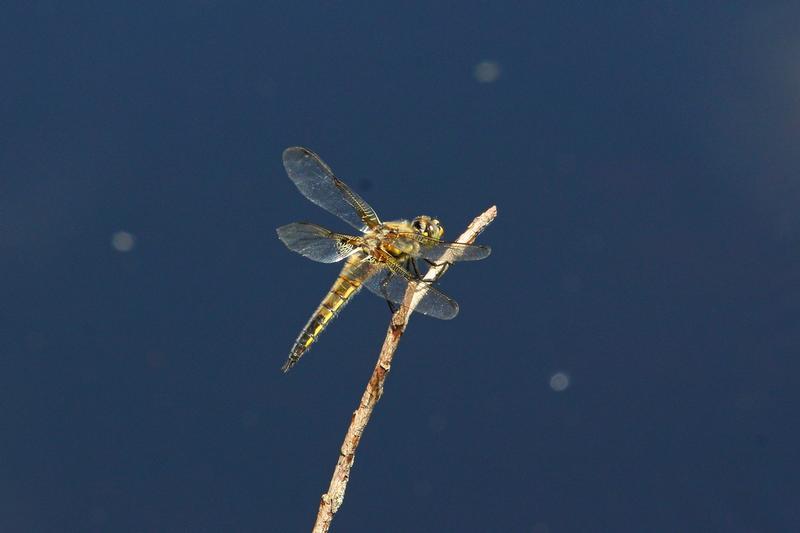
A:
(316, 242)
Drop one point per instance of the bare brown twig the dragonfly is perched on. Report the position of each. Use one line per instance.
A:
(332, 500)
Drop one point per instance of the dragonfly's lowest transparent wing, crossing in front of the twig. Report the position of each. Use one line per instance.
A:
(390, 281)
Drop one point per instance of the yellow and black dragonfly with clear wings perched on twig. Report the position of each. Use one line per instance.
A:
(382, 257)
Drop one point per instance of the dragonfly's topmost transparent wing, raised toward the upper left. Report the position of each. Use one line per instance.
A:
(317, 182)
